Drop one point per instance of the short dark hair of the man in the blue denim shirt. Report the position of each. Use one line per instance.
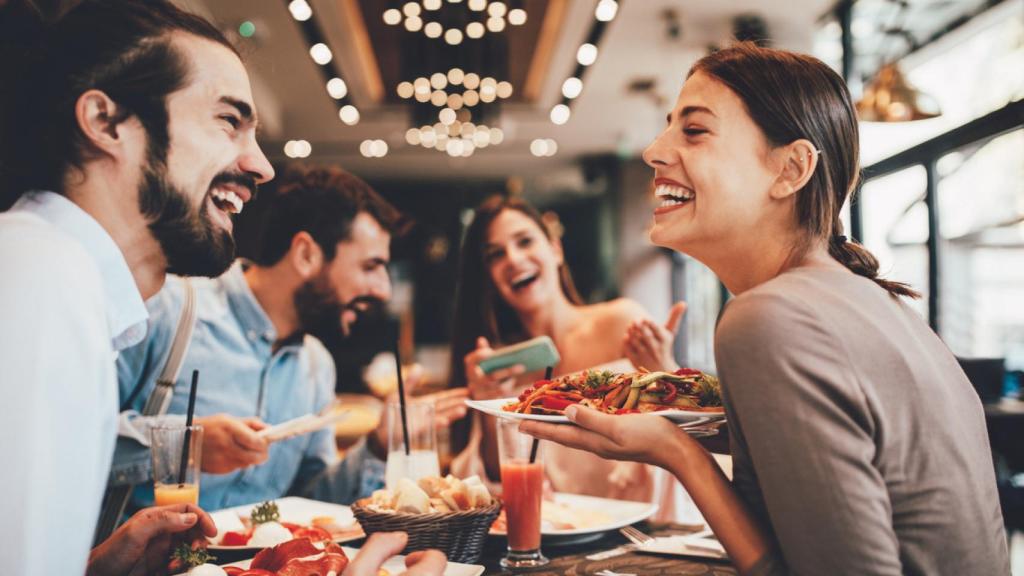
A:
(322, 201)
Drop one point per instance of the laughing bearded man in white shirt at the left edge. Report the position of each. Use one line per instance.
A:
(135, 127)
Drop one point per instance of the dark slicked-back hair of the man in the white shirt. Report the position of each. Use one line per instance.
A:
(121, 48)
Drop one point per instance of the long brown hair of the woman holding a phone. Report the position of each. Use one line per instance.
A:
(480, 309)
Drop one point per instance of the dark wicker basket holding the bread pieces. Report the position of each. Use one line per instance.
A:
(460, 536)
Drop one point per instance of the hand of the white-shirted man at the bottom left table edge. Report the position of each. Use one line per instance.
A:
(143, 546)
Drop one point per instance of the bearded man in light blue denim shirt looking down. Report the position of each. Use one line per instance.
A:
(324, 259)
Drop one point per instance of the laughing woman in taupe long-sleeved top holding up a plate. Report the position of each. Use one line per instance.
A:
(860, 446)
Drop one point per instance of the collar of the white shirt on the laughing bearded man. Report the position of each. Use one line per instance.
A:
(126, 313)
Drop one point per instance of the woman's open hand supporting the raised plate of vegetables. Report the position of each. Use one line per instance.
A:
(638, 438)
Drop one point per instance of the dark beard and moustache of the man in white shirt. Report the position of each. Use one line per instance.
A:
(193, 244)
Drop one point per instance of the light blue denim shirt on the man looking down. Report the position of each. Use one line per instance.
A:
(240, 375)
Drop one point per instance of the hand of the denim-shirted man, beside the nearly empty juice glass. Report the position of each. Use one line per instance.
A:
(231, 443)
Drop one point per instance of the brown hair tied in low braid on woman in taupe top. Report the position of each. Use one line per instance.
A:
(792, 97)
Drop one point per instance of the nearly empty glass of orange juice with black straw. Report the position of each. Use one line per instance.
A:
(176, 477)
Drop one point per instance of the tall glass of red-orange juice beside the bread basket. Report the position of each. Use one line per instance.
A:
(523, 488)
